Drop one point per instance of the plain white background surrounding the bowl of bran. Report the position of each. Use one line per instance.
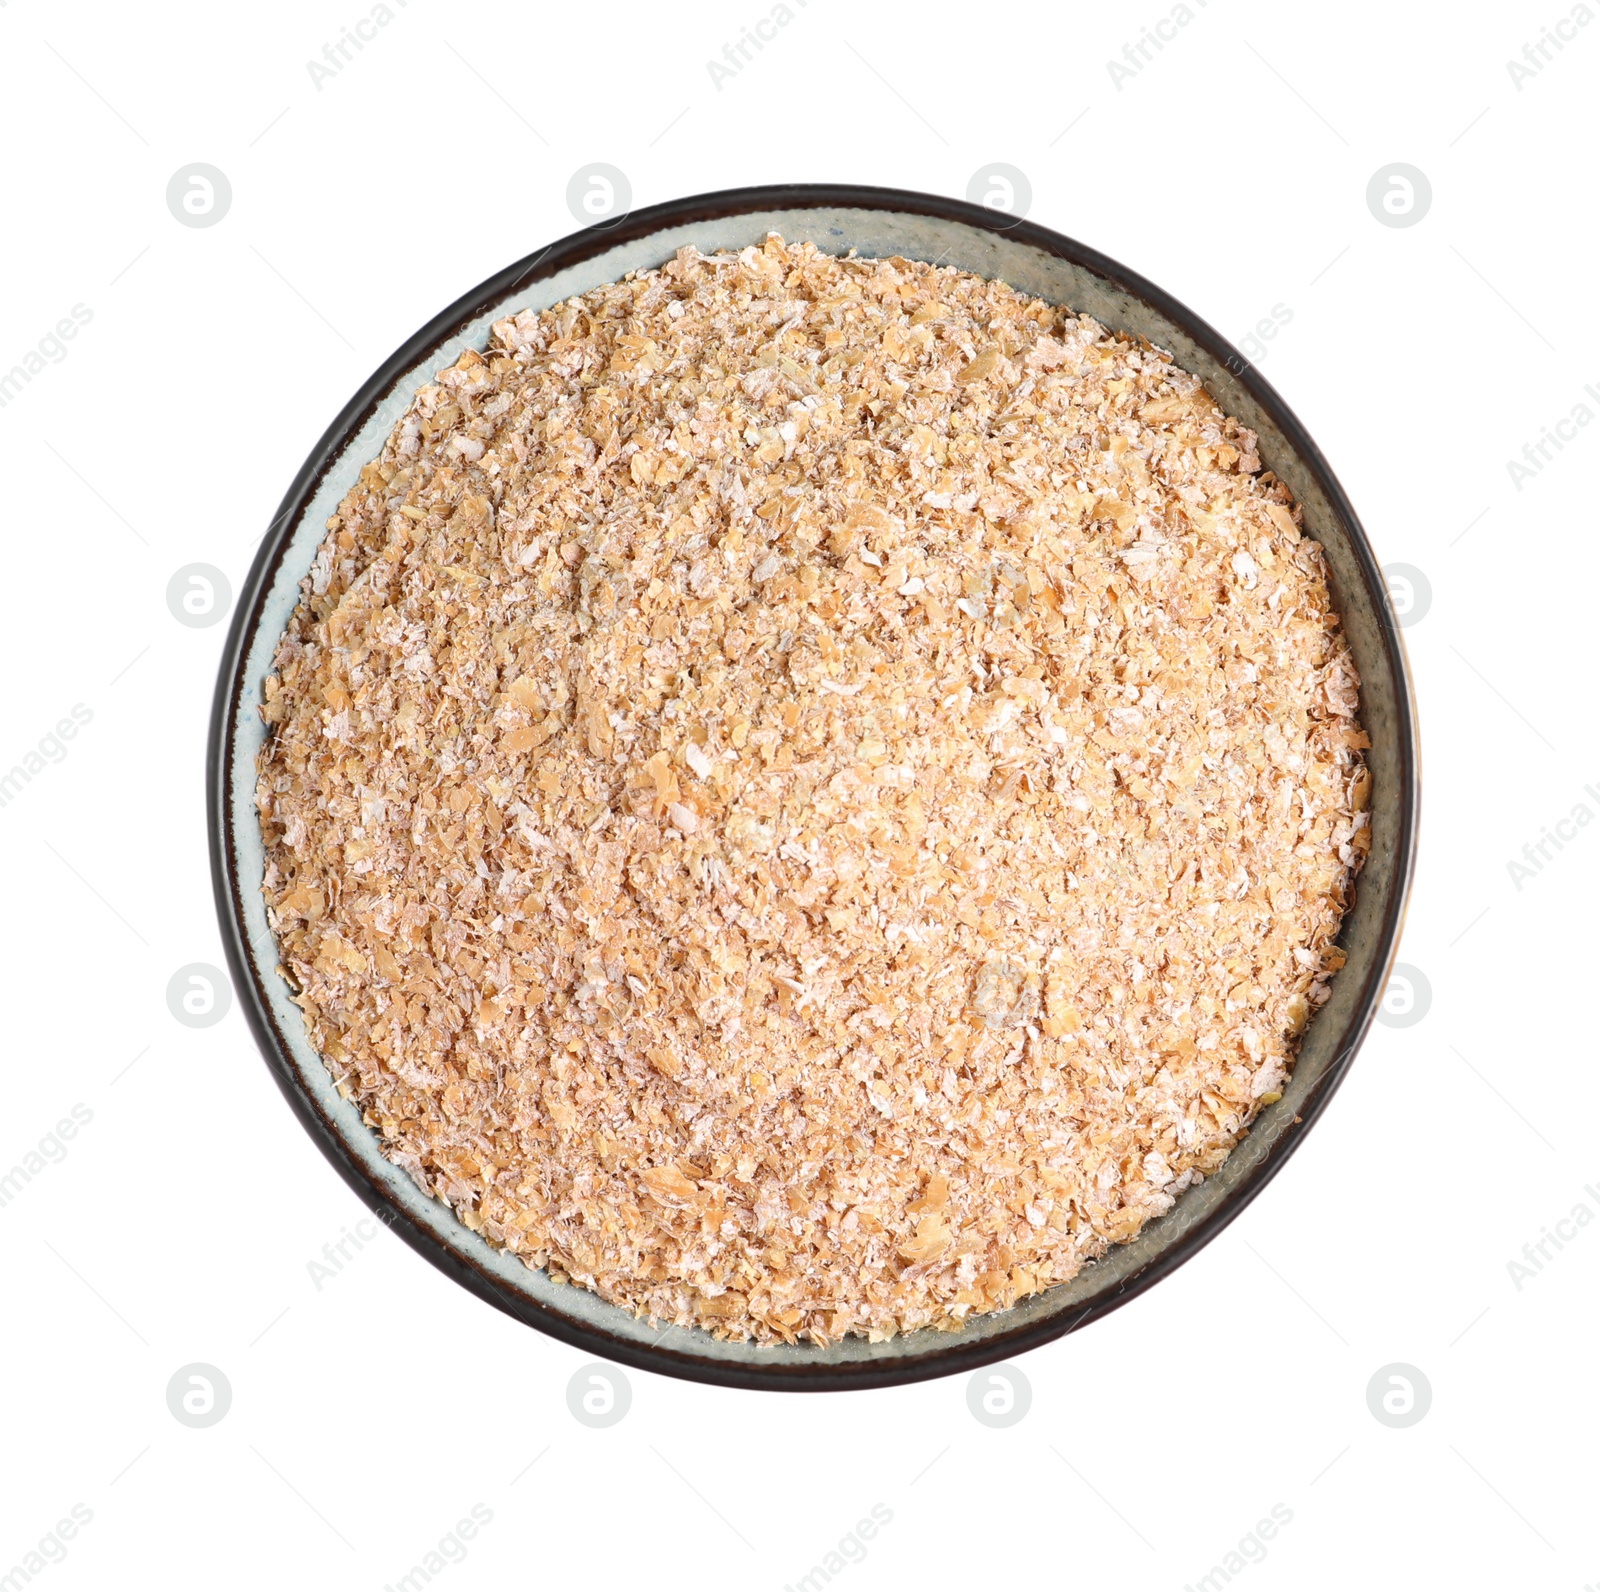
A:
(369, 1417)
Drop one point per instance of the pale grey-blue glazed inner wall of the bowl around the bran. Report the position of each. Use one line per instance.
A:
(871, 233)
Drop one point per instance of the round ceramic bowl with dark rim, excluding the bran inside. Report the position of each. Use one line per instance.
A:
(874, 223)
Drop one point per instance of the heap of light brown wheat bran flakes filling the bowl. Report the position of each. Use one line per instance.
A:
(812, 796)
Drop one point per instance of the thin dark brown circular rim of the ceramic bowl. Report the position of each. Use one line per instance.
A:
(948, 1354)
